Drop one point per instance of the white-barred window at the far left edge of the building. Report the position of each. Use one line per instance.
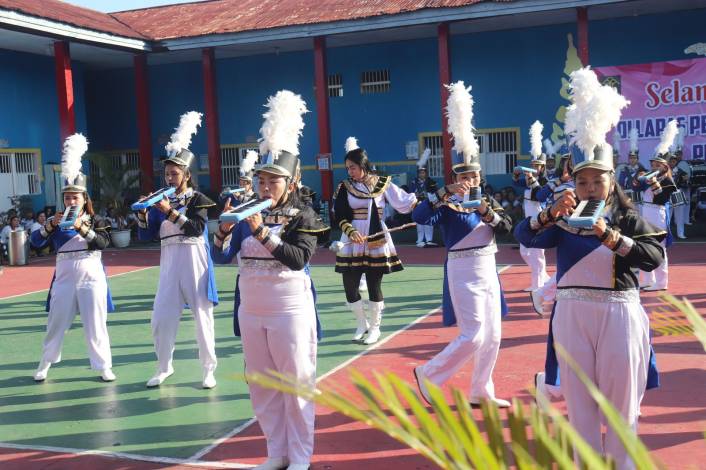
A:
(19, 173)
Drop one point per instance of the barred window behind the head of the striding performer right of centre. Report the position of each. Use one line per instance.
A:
(498, 150)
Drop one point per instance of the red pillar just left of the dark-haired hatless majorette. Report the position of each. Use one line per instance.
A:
(322, 117)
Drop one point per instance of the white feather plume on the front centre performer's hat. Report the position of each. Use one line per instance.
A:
(283, 123)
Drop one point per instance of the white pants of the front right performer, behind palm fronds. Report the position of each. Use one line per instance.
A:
(610, 342)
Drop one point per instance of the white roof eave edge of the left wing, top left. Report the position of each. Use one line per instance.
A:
(45, 27)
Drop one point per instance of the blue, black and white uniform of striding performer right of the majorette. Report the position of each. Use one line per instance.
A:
(474, 288)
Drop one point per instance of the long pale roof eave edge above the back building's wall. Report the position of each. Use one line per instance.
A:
(421, 17)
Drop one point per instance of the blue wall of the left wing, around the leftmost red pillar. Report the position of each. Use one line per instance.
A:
(30, 117)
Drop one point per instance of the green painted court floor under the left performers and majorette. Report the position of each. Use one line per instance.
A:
(74, 409)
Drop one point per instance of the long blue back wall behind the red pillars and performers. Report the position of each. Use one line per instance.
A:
(516, 78)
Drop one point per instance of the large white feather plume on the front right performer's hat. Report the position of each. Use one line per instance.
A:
(595, 109)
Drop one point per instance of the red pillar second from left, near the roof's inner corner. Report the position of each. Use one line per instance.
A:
(142, 97)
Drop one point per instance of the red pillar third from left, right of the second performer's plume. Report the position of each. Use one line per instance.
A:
(211, 101)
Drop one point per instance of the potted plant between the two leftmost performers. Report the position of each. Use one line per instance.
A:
(116, 184)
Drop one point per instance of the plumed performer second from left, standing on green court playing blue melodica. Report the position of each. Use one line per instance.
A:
(186, 272)
